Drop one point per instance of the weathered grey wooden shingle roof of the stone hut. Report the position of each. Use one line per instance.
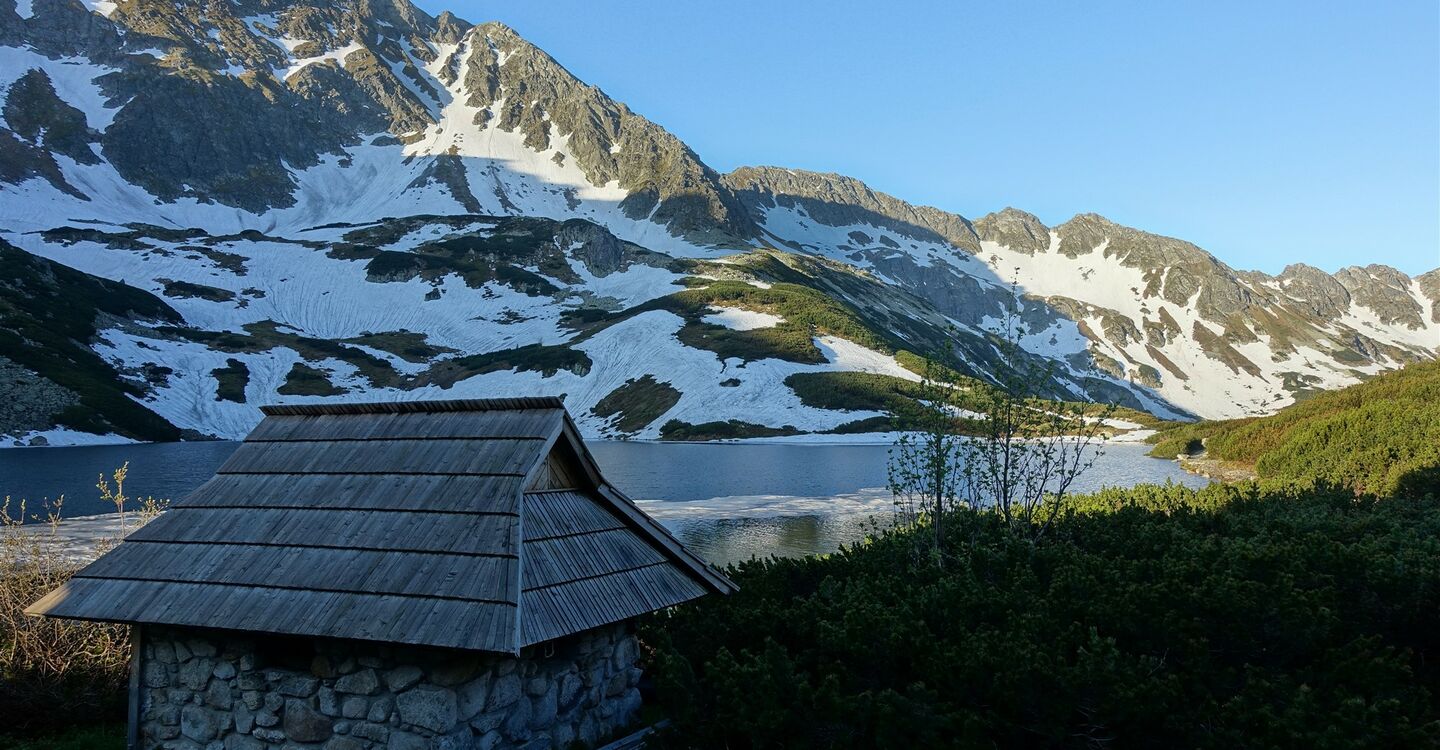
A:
(479, 525)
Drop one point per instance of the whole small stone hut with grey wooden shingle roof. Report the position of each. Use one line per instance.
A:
(423, 575)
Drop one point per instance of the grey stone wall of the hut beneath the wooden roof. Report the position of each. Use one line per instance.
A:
(204, 690)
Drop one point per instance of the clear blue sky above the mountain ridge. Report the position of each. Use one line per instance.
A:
(1266, 133)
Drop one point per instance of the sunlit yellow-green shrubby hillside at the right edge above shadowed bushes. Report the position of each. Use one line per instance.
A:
(1379, 437)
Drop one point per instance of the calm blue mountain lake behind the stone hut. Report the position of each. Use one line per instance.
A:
(726, 502)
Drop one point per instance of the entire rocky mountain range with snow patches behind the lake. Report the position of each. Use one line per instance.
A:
(208, 207)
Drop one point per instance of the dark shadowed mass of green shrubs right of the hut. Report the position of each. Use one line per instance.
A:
(1256, 615)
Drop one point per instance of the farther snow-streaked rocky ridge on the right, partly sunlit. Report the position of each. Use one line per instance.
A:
(1156, 313)
